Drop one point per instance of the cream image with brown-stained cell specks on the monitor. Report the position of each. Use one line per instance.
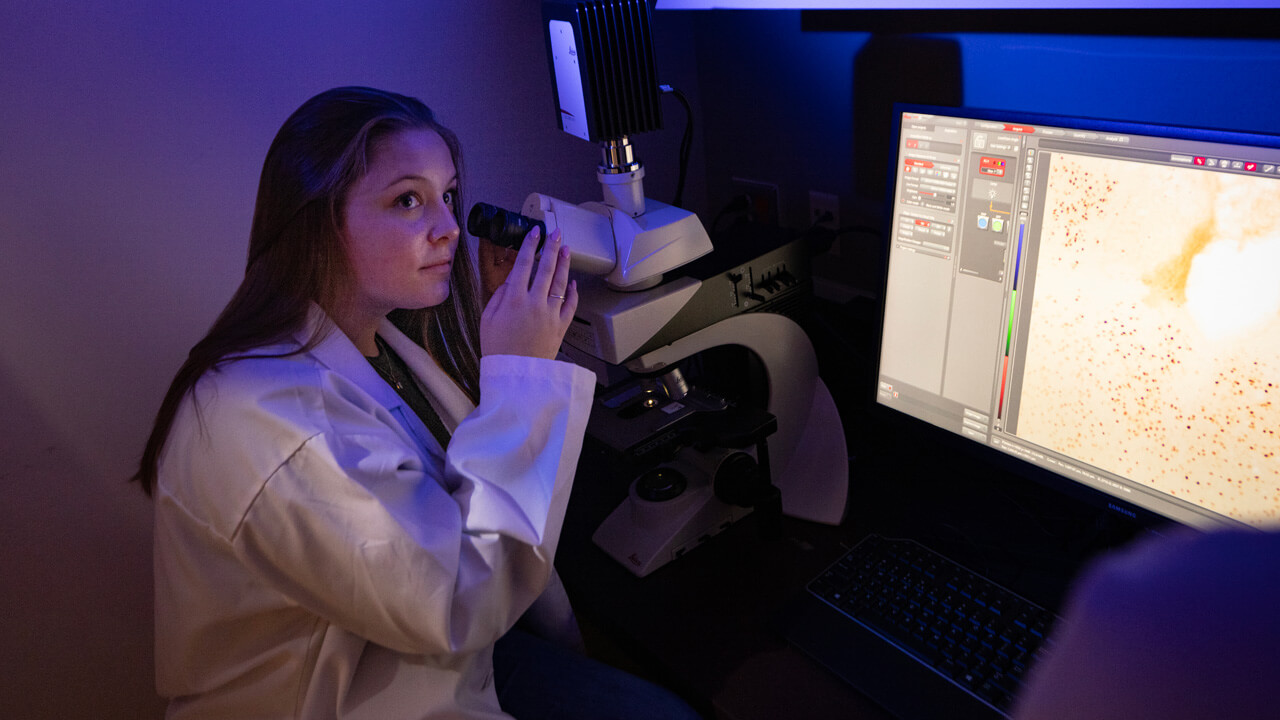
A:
(1165, 370)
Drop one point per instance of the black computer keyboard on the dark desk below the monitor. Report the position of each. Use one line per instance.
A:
(975, 634)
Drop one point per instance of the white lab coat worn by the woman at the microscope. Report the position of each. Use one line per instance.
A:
(317, 554)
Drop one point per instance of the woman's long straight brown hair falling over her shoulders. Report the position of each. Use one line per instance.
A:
(296, 253)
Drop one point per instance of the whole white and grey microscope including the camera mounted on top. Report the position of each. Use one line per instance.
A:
(656, 299)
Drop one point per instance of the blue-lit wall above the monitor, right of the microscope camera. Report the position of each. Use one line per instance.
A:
(780, 101)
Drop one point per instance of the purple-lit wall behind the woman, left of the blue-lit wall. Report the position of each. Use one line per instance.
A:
(132, 135)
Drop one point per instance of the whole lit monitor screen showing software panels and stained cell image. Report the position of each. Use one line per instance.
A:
(1094, 300)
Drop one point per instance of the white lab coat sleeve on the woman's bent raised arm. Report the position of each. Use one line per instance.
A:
(372, 539)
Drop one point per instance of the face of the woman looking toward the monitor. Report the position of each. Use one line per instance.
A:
(400, 230)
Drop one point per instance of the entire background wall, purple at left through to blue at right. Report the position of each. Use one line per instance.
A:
(132, 134)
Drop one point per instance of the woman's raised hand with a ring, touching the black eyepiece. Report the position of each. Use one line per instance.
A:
(531, 312)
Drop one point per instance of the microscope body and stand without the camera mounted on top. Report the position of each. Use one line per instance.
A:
(638, 331)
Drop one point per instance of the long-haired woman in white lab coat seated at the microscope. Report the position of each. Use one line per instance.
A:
(360, 479)
